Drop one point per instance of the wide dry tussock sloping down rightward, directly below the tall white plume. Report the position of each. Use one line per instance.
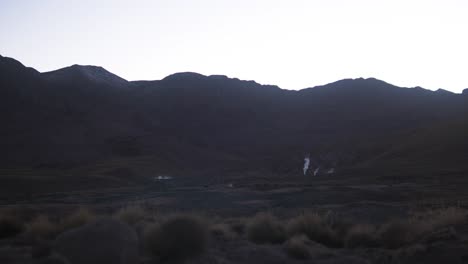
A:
(315, 227)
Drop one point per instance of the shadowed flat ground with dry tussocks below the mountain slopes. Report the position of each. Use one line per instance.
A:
(326, 219)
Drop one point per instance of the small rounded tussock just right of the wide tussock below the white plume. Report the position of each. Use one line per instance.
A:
(361, 235)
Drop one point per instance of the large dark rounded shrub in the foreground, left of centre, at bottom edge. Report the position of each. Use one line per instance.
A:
(178, 239)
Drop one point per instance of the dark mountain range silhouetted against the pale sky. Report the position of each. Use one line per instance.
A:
(82, 115)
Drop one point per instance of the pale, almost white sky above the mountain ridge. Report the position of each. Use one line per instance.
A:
(290, 43)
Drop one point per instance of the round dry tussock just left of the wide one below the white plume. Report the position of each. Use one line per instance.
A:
(265, 228)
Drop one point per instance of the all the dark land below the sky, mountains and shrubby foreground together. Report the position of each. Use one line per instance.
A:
(225, 149)
